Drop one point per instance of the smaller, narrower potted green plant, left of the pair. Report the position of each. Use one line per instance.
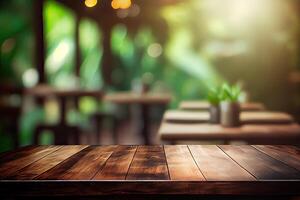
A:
(213, 98)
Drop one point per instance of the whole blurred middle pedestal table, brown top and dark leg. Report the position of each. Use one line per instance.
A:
(144, 101)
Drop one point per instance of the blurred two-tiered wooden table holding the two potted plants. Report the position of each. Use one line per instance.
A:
(256, 128)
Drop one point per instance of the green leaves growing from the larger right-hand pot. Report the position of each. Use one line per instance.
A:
(230, 93)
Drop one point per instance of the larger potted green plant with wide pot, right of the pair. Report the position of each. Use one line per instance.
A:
(230, 107)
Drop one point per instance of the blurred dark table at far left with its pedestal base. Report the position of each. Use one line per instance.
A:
(63, 95)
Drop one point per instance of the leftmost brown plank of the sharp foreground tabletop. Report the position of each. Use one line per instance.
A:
(24, 159)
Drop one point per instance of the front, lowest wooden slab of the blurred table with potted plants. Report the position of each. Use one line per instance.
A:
(251, 133)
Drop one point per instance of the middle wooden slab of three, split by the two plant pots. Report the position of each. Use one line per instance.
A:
(263, 117)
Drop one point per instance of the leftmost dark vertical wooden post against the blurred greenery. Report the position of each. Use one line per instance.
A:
(38, 20)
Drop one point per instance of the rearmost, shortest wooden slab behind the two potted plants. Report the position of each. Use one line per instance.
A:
(204, 105)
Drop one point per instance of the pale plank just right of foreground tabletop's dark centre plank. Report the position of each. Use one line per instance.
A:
(181, 164)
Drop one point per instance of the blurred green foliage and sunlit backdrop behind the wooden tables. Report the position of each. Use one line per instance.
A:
(181, 47)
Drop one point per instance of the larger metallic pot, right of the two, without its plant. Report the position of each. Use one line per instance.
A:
(230, 114)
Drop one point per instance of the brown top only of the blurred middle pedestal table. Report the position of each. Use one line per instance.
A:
(138, 98)
